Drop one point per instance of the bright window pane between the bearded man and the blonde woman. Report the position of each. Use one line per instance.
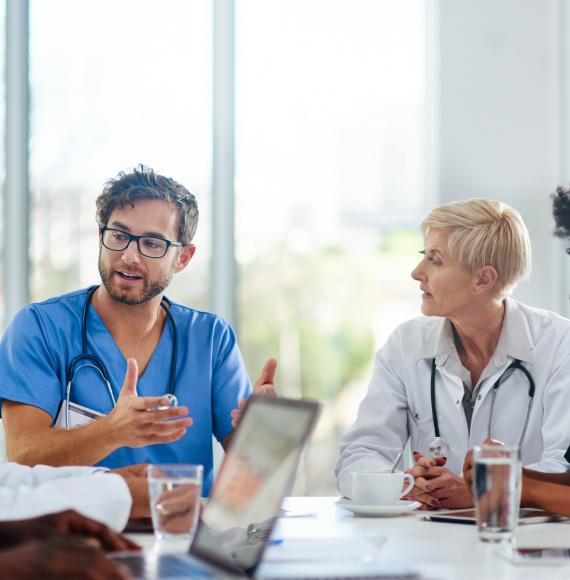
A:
(330, 187)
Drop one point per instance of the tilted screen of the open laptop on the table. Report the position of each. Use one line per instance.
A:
(256, 474)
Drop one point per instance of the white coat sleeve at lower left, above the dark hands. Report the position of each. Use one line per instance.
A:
(27, 492)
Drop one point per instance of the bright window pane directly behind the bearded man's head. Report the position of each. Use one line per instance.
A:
(121, 83)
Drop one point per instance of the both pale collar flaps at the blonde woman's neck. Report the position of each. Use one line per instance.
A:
(515, 340)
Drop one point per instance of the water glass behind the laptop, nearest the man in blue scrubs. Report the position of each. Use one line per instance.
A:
(175, 498)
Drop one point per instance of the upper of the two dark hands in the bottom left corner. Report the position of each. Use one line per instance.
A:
(67, 523)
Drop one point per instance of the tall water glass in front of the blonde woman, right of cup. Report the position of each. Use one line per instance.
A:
(497, 487)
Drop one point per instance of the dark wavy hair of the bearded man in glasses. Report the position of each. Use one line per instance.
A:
(143, 183)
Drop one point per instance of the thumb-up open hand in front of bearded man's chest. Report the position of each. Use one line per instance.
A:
(138, 421)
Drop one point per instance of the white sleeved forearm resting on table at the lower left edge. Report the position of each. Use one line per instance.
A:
(102, 497)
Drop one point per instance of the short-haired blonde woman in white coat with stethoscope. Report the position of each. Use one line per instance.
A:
(447, 364)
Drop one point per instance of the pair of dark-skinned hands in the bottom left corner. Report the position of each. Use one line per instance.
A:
(62, 545)
